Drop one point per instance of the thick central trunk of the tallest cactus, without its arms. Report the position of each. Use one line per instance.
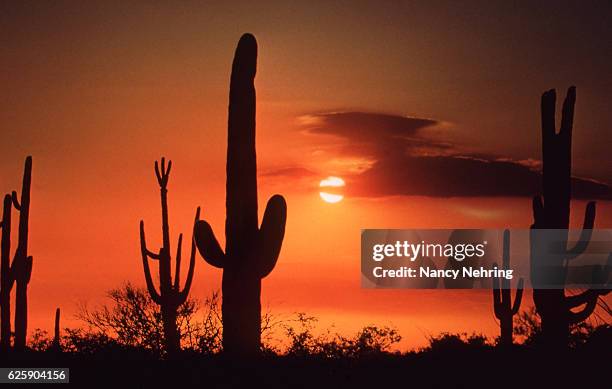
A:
(241, 287)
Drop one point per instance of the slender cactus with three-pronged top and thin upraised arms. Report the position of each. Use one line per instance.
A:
(170, 295)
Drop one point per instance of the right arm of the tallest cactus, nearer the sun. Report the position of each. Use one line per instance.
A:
(271, 234)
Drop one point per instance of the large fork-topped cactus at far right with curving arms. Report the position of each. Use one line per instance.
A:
(553, 306)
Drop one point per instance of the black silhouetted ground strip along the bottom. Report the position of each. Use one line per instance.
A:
(449, 362)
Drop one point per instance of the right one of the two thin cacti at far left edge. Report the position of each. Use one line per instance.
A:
(21, 269)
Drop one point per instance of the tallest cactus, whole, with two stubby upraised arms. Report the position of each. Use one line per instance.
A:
(251, 252)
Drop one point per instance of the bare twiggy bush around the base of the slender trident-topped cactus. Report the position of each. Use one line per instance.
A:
(134, 321)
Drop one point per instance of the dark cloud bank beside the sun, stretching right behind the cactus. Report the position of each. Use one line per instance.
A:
(409, 157)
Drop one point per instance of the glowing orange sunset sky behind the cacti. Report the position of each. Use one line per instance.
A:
(360, 90)
